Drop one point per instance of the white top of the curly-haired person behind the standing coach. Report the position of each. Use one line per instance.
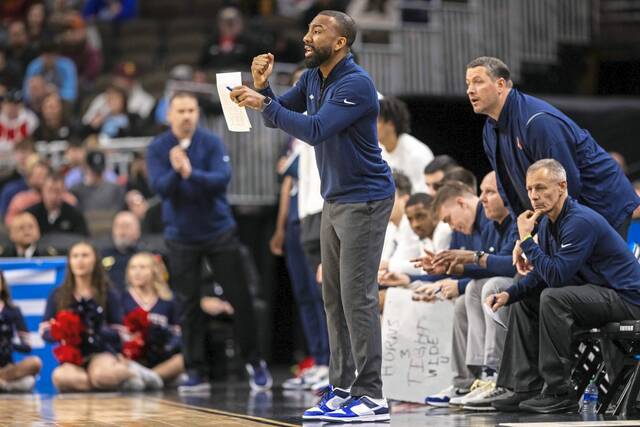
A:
(409, 157)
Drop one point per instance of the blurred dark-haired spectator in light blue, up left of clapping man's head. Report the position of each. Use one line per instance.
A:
(113, 121)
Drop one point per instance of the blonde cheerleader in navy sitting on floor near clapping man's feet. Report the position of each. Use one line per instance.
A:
(147, 289)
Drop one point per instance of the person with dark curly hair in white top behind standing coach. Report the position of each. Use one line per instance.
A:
(400, 150)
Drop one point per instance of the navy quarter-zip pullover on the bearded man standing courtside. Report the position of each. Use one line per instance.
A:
(342, 112)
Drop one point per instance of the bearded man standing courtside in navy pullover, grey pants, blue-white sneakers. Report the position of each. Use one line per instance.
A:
(342, 107)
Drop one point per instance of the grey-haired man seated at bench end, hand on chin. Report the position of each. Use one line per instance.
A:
(579, 274)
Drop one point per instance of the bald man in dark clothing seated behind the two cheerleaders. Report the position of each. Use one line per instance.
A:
(125, 239)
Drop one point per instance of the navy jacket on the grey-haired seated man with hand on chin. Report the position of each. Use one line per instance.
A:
(580, 248)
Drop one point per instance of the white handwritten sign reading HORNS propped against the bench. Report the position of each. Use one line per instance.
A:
(416, 347)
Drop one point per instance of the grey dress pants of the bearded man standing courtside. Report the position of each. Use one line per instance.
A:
(351, 239)
